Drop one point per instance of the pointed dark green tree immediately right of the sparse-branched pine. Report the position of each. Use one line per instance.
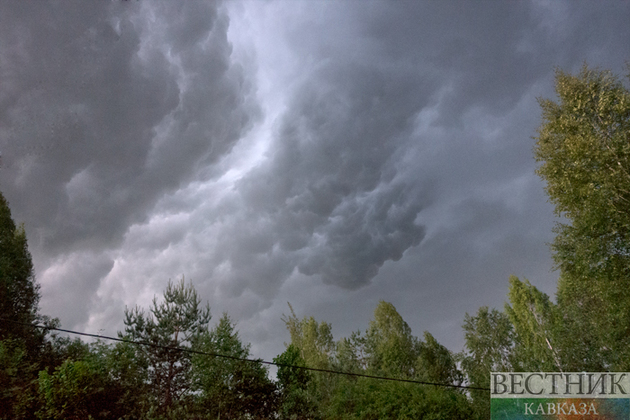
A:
(231, 388)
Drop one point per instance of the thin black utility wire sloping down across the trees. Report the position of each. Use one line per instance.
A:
(227, 356)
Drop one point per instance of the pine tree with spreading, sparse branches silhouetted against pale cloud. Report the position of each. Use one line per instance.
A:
(177, 322)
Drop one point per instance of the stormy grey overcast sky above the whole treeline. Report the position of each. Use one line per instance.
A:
(329, 154)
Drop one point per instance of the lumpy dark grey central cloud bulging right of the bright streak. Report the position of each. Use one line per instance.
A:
(332, 185)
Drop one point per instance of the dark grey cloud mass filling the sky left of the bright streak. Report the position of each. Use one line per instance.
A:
(112, 107)
